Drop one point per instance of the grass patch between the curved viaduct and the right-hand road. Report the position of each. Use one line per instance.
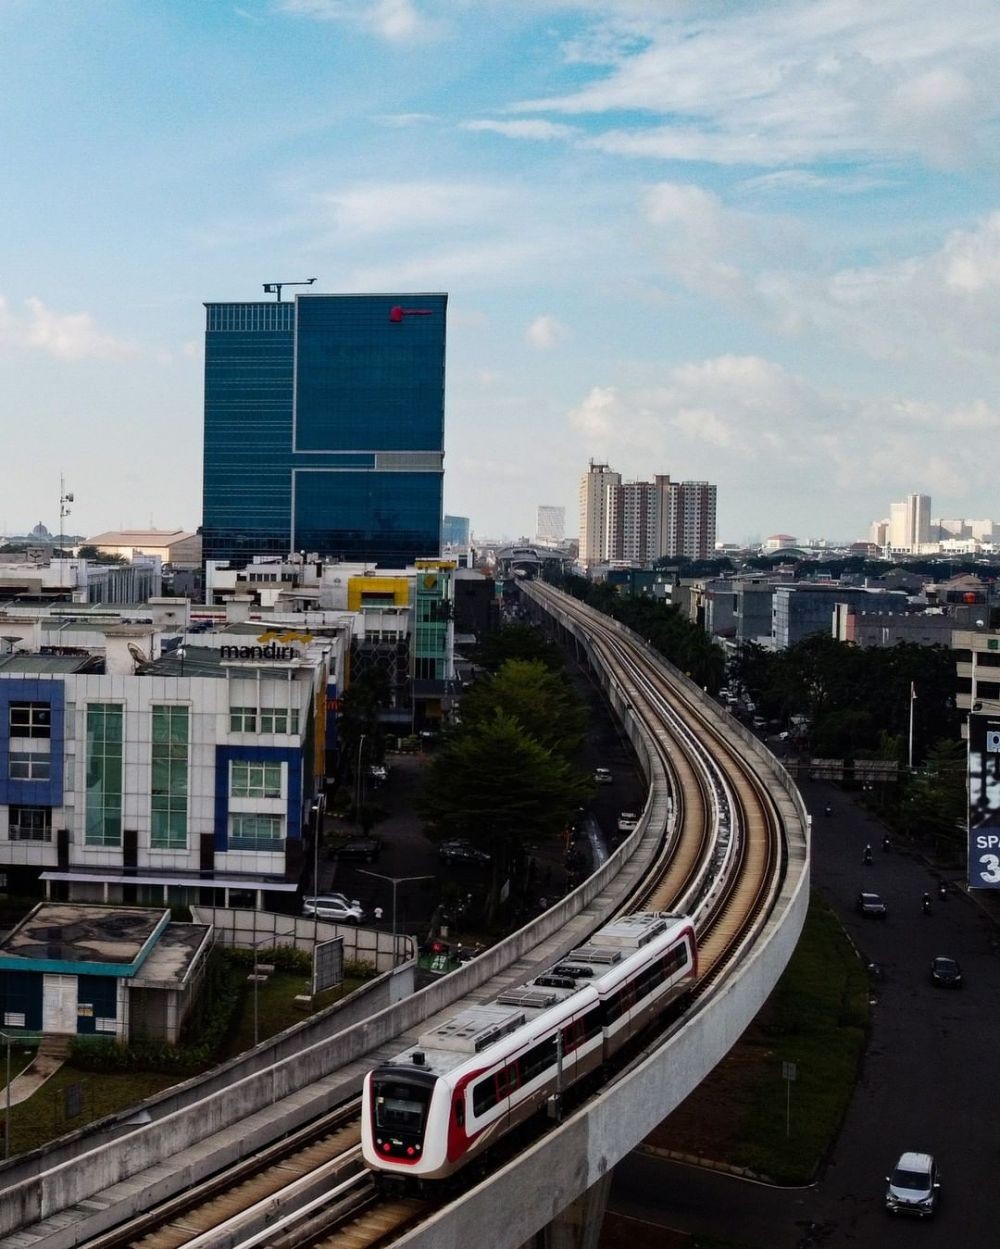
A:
(817, 1019)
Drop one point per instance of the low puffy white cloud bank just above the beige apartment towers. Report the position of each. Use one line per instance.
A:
(761, 433)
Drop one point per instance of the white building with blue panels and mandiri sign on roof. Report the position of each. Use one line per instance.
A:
(192, 780)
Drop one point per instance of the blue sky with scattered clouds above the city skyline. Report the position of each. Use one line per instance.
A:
(756, 244)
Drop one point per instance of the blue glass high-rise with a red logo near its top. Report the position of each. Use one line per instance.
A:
(325, 428)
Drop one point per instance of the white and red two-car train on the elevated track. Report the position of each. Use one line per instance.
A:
(463, 1087)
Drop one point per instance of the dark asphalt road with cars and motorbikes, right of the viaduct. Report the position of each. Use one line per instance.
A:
(926, 1085)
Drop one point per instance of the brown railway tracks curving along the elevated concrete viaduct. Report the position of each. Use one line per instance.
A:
(721, 859)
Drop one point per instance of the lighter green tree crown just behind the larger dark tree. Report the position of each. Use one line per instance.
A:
(544, 703)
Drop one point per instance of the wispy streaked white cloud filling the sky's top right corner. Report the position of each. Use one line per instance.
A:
(796, 83)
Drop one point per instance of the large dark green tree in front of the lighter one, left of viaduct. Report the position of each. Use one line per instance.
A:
(501, 789)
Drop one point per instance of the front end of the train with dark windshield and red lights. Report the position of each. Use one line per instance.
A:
(399, 1105)
